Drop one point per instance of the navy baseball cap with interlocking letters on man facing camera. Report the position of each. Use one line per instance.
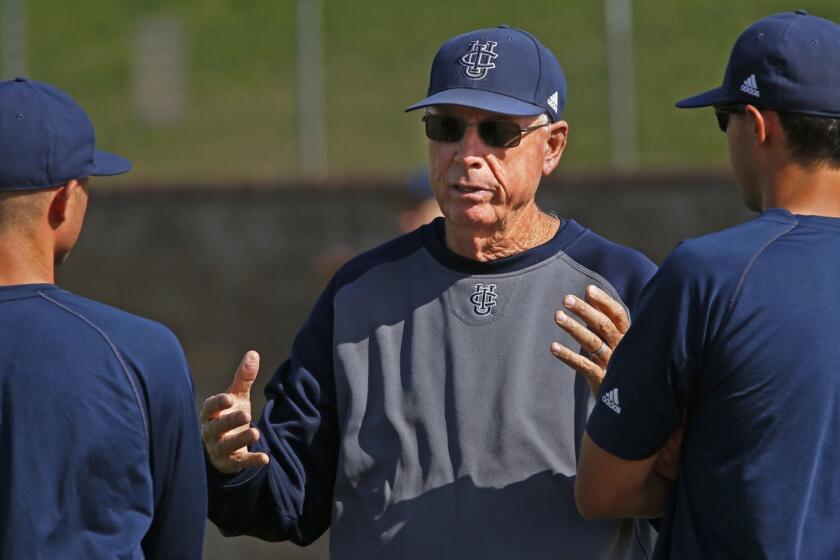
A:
(501, 69)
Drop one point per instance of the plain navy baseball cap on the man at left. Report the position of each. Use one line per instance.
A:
(46, 139)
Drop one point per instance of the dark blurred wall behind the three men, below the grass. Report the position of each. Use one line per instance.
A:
(234, 270)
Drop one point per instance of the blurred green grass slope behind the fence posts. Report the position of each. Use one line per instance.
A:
(240, 119)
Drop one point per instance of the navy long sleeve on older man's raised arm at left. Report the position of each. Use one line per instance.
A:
(291, 497)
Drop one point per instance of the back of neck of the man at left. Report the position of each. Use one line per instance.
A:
(23, 261)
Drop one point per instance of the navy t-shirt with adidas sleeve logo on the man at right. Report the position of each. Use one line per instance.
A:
(740, 330)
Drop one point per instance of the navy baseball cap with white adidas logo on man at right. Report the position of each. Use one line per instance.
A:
(785, 62)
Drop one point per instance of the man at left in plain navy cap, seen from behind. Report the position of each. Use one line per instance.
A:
(99, 444)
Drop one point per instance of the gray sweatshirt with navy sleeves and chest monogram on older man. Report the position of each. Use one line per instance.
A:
(421, 414)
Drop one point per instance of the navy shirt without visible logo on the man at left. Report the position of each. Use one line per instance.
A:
(100, 452)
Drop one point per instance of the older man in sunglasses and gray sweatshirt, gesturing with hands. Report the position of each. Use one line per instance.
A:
(421, 414)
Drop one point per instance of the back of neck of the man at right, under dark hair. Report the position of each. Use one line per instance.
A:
(814, 192)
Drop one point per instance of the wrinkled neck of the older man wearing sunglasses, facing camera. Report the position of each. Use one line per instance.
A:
(530, 229)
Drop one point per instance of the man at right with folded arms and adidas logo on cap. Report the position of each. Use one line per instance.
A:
(737, 332)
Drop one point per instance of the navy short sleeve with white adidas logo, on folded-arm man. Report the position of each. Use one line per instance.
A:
(648, 383)
